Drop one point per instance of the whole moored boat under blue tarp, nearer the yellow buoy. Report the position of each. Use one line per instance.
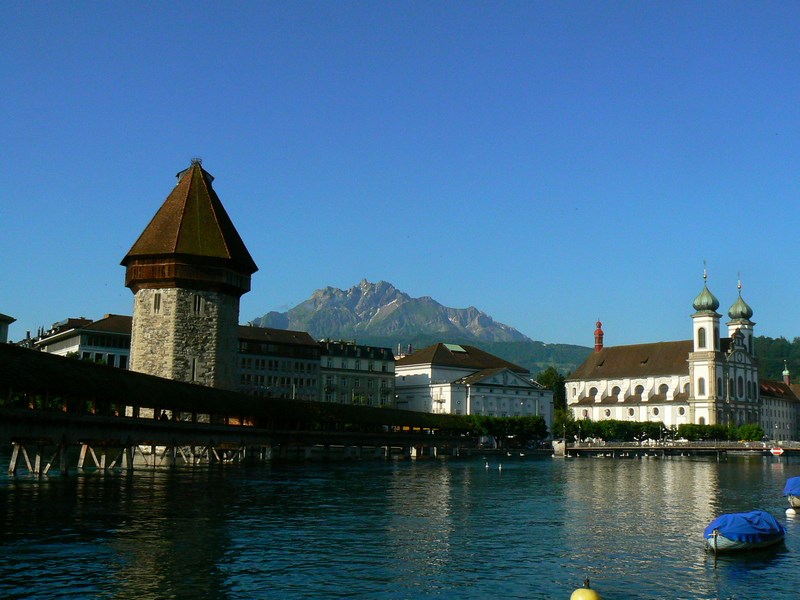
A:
(743, 531)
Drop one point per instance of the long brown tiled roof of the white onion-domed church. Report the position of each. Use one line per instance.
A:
(637, 360)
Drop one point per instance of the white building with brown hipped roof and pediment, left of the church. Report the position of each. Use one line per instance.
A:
(464, 380)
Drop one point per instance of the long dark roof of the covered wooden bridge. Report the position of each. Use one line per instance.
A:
(34, 373)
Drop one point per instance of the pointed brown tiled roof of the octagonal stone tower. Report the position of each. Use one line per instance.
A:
(192, 223)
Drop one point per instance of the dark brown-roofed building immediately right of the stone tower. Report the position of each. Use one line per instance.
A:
(278, 363)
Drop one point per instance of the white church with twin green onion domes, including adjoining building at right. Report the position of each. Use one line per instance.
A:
(706, 380)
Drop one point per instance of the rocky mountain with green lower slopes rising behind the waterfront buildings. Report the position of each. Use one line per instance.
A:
(380, 314)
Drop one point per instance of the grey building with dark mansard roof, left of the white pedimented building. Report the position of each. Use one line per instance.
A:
(353, 373)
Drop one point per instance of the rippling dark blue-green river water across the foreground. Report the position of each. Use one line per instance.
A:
(433, 528)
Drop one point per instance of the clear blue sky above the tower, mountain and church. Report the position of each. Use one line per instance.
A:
(550, 163)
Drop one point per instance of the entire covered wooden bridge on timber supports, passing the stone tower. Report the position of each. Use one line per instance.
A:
(54, 410)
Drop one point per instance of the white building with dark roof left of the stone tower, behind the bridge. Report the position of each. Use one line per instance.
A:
(107, 340)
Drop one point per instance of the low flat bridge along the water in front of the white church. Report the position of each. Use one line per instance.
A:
(655, 448)
